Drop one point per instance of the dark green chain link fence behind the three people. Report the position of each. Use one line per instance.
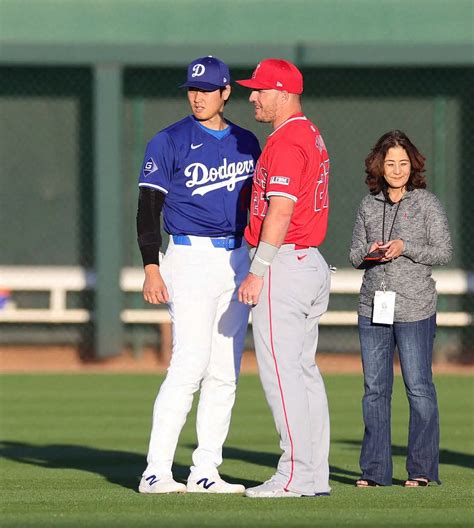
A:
(47, 159)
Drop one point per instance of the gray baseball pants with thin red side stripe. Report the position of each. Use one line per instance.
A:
(285, 329)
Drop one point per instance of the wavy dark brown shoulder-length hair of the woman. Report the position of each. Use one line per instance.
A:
(374, 162)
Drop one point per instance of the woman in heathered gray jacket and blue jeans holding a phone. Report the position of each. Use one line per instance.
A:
(401, 231)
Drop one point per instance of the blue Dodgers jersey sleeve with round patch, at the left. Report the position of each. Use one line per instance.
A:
(158, 163)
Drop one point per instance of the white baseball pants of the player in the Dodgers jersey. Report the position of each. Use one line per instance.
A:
(209, 328)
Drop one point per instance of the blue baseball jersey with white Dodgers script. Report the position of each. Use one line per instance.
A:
(206, 181)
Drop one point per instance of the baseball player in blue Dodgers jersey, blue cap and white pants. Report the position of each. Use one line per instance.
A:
(197, 175)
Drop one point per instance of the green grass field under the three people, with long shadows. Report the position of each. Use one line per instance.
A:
(73, 448)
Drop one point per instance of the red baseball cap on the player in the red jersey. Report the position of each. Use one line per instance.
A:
(275, 74)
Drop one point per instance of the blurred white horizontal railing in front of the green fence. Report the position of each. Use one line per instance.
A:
(58, 281)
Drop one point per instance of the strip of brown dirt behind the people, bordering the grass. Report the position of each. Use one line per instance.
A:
(67, 359)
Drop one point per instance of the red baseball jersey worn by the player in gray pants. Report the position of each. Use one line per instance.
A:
(295, 164)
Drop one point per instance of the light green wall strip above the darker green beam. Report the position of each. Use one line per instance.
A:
(237, 21)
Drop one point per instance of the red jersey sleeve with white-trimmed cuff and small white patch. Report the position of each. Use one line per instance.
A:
(287, 164)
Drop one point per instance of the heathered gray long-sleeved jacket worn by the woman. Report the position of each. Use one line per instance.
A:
(422, 224)
